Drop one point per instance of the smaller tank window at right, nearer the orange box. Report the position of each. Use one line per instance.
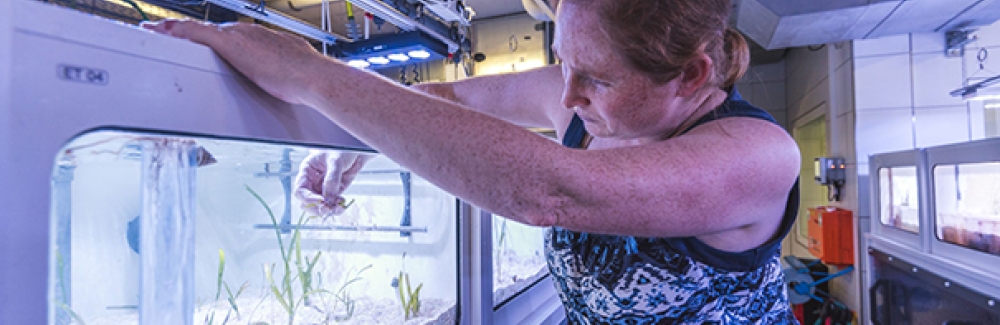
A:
(899, 200)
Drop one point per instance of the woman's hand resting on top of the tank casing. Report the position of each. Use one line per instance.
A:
(277, 62)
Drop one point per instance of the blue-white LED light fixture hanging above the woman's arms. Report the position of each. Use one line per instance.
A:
(392, 50)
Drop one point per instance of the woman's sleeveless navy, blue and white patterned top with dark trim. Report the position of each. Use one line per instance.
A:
(608, 279)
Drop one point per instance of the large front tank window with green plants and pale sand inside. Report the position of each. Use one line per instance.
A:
(143, 223)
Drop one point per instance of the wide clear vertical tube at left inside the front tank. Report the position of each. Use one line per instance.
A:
(167, 232)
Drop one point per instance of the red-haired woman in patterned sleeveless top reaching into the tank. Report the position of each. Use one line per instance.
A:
(671, 196)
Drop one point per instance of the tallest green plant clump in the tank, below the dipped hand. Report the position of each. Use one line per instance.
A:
(298, 271)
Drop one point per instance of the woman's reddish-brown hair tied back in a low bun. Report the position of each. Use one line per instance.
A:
(659, 38)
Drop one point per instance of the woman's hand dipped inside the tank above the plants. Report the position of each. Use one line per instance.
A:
(323, 176)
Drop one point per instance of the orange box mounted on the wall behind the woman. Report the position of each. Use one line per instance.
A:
(831, 235)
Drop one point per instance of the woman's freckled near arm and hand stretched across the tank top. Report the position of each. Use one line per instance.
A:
(725, 175)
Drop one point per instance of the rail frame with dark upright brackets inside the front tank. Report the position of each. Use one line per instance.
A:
(285, 175)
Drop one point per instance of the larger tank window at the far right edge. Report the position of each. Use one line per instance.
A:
(967, 204)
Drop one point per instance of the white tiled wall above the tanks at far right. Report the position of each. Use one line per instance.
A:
(903, 83)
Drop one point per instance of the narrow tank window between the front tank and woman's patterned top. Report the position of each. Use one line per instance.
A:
(518, 258)
